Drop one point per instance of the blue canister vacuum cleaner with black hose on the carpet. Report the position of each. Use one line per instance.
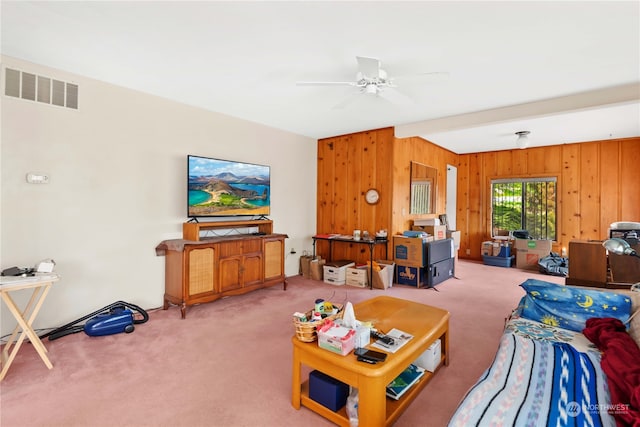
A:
(113, 319)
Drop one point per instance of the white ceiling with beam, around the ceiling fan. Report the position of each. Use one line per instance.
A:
(566, 71)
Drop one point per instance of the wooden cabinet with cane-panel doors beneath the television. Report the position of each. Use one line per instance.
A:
(201, 268)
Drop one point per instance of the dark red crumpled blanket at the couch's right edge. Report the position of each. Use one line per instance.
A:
(621, 363)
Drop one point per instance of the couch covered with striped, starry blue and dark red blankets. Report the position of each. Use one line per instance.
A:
(549, 367)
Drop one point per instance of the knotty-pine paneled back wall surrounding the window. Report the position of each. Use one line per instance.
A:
(598, 183)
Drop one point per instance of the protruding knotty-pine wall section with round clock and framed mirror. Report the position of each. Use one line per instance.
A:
(348, 165)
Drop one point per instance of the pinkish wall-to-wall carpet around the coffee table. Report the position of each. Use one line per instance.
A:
(229, 362)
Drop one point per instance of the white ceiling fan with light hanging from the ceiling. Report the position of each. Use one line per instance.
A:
(371, 79)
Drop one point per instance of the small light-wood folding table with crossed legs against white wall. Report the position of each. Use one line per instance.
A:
(40, 286)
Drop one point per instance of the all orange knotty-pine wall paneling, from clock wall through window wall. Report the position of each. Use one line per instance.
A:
(598, 183)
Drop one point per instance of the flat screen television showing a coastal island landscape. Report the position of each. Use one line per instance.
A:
(222, 188)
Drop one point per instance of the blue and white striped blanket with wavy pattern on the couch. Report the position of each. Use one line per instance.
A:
(537, 383)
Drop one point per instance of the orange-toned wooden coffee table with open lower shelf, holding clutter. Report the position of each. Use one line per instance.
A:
(425, 323)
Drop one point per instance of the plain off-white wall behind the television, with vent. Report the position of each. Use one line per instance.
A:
(117, 188)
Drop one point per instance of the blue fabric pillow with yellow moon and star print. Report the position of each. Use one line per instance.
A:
(570, 307)
